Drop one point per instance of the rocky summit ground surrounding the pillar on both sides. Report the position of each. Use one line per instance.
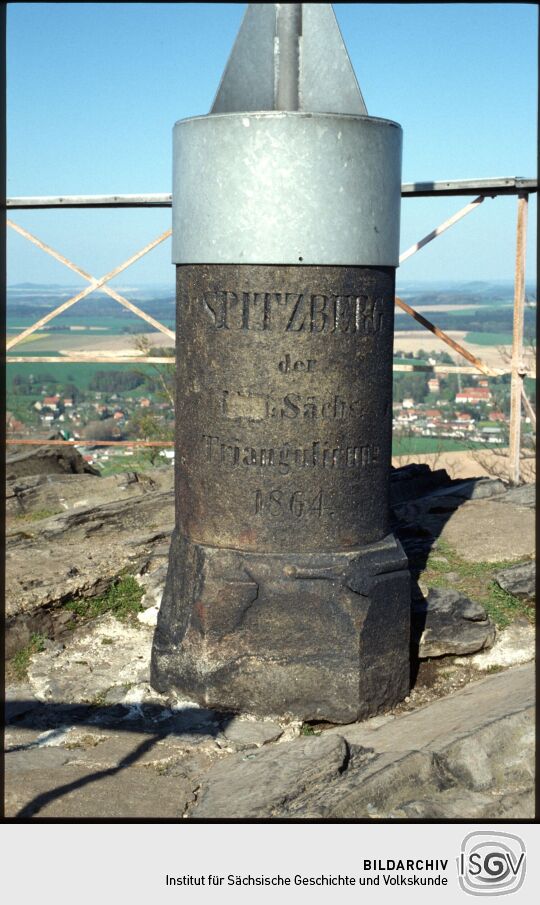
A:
(87, 736)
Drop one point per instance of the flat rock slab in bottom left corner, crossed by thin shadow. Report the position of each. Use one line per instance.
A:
(138, 768)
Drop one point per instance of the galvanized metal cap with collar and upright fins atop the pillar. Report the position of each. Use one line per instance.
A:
(287, 136)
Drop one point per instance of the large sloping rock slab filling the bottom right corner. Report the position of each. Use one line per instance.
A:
(479, 738)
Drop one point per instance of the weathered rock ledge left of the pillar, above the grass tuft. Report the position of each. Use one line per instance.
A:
(79, 554)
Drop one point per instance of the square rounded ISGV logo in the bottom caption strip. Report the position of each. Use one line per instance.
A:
(491, 864)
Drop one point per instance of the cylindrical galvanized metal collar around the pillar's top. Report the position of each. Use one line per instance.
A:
(277, 187)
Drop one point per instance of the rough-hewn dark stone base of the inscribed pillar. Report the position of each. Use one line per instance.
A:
(318, 636)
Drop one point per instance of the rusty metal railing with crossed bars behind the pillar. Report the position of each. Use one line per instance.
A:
(479, 188)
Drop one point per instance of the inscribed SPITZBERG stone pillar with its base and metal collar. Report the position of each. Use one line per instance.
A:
(286, 594)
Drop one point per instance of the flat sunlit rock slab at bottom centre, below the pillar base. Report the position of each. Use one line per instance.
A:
(260, 784)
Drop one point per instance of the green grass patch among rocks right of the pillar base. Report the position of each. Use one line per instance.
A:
(476, 580)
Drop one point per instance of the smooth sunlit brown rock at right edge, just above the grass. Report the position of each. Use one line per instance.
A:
(487, 531)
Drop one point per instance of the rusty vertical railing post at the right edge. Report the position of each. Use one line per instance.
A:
(518, 367)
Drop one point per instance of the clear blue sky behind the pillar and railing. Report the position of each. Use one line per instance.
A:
(94, 91)
